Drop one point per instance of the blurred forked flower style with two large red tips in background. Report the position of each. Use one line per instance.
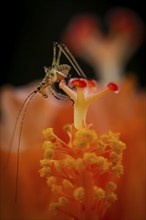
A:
(107, 52)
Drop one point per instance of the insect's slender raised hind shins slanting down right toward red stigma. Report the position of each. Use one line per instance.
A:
(71, 59)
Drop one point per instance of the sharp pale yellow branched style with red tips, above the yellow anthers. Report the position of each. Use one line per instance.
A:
(86, 94)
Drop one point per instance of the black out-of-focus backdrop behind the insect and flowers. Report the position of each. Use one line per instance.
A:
(31, 26)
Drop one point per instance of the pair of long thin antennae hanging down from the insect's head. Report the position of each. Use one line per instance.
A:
(29, 98)
